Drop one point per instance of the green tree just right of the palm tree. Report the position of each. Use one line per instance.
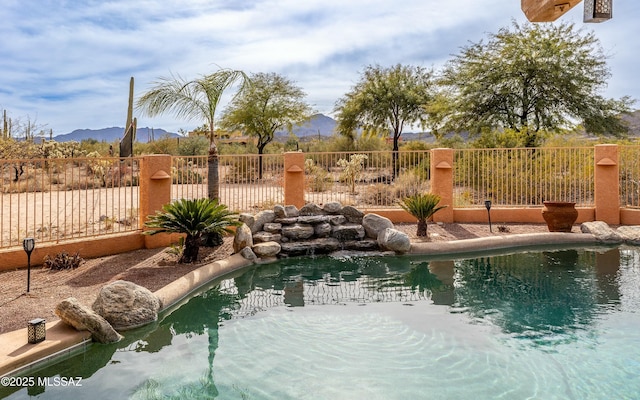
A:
(270, 103)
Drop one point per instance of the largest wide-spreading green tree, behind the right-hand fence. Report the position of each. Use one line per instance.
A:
(532, 78)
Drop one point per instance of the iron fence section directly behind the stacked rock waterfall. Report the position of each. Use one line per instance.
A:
(368, 179)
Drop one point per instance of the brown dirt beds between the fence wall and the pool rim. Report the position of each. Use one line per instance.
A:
(155, 268)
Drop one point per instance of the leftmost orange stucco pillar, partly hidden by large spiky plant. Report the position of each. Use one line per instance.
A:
(155, 192)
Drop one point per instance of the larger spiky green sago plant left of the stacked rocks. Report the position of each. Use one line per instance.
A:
(194, 218)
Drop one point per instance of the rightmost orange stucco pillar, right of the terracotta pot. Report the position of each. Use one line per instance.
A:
(607, 184)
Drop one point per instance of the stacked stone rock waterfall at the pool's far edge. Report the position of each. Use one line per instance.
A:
(286, 231)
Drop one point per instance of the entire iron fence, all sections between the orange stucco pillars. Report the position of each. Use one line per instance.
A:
(58, 199)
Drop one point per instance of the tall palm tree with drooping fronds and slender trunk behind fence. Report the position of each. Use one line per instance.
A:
(195, 99)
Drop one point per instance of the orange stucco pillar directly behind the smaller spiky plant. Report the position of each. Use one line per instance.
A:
(442, 182)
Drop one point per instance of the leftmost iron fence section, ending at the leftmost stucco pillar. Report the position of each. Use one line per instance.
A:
(59, 199)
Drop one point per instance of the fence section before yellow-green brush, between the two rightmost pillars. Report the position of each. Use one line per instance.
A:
(523, 177)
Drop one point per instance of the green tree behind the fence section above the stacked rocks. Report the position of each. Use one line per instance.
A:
(385, 100)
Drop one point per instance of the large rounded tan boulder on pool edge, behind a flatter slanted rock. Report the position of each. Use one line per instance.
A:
(126, 305)
